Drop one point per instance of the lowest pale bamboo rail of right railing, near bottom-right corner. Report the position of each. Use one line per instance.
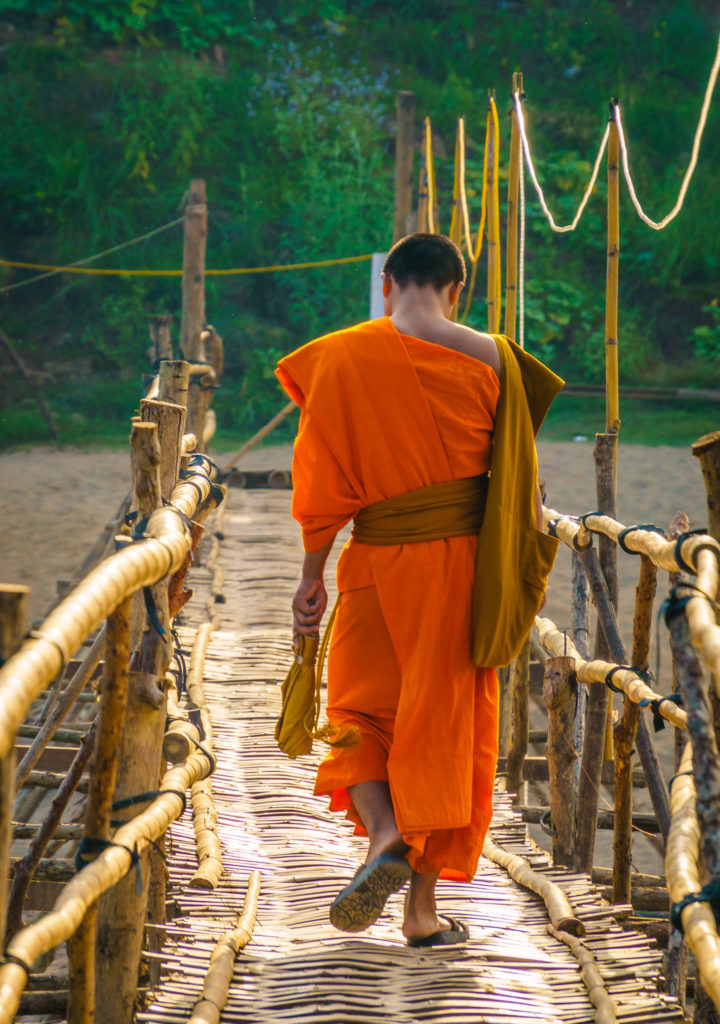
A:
(682, 868)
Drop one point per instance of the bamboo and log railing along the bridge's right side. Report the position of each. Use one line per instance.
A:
(688, 810)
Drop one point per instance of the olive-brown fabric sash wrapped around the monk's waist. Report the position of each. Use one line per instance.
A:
(434, 514)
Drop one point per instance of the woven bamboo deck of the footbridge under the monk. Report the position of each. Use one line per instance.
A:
(298, 968)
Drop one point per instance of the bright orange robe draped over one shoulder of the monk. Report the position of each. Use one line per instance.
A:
(385, 414)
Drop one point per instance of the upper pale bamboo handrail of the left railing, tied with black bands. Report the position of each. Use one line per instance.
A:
(44, 656)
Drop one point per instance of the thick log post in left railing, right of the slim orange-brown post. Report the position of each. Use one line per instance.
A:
(122, 911)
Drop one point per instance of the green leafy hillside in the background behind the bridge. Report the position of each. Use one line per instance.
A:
(109, 110)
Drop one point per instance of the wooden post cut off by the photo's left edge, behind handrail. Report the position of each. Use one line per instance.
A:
(14, 618)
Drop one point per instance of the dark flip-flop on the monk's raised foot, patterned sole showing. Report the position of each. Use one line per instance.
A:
(361, 904)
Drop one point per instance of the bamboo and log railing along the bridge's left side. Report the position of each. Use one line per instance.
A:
(102, 626)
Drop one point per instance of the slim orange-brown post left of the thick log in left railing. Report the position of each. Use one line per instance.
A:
(111, 718)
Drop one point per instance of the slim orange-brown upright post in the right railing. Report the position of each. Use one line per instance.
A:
(625, 733)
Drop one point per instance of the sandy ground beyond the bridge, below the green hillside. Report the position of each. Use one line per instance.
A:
(56, 503)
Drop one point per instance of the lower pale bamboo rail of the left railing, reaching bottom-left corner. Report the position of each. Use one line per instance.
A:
(90, 884)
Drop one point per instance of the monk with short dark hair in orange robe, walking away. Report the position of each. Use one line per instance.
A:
(402, 410)
